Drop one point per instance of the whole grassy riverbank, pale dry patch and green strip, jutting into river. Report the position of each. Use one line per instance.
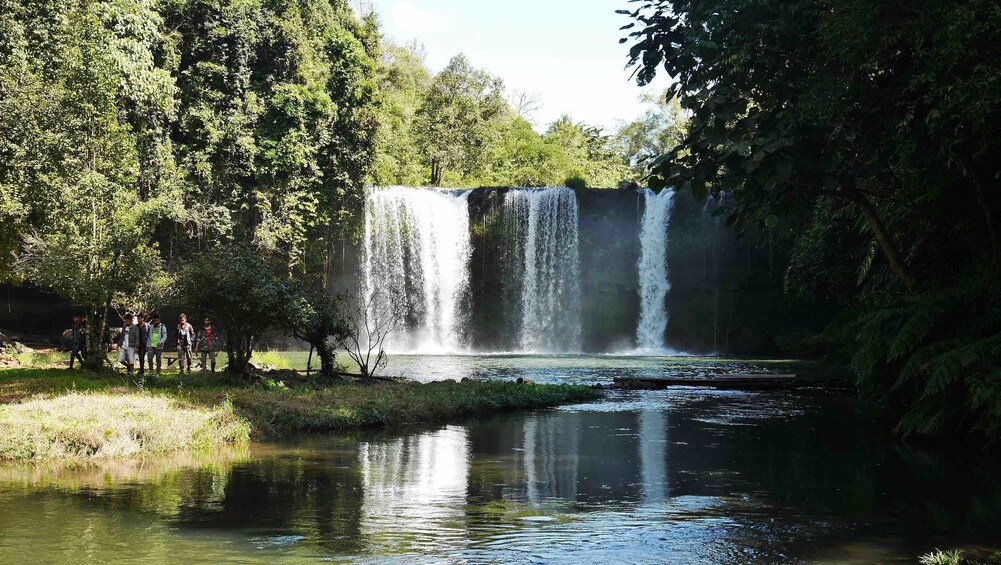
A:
(43, 407)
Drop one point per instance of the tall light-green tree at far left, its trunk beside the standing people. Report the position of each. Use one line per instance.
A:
(83, 113)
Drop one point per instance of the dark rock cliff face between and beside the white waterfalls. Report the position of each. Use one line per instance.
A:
(726, 294)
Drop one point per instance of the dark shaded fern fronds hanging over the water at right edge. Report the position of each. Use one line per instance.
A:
(931, 360)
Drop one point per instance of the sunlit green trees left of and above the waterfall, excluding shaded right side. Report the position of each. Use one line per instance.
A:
(152, 150)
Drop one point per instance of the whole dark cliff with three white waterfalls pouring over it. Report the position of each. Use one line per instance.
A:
(562, 272)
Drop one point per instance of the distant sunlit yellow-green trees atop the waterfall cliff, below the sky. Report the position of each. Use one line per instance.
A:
(457, 129)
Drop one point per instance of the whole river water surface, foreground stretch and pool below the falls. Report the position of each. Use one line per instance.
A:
(678, 476)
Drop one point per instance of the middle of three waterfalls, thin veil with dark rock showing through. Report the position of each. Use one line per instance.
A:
(542, 227)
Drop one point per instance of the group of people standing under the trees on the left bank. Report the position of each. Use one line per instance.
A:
(145, 341)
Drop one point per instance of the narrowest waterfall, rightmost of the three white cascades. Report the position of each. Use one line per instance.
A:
(654, 281)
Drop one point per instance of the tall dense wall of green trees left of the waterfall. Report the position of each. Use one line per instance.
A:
(142, 137)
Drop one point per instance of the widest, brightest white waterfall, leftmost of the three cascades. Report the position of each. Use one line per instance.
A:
(417, 252)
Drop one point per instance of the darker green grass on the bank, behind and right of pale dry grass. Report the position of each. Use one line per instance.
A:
(314, 407)
